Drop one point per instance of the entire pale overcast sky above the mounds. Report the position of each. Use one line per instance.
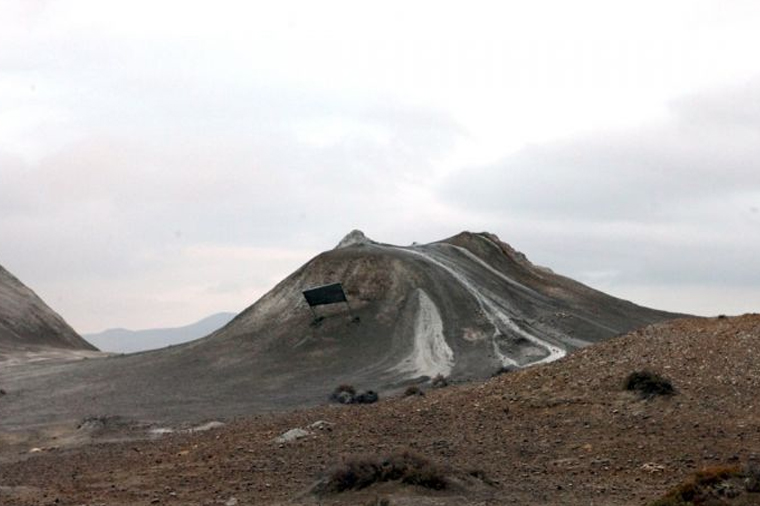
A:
(161, 161)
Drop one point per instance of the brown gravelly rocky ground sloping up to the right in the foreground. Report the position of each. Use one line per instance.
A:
(563, 433)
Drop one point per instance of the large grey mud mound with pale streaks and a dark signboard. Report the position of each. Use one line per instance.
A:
(463, 307)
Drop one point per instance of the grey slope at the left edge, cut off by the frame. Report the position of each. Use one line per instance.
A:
(27, 323)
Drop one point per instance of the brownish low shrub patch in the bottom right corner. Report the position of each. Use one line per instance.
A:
(715, 485)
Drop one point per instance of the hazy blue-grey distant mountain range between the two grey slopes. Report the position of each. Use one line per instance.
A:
(131, 341)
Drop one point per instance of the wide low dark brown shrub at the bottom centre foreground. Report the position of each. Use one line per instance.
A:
(356, 473)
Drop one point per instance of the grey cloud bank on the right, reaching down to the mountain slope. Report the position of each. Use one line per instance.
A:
(669, 204)
